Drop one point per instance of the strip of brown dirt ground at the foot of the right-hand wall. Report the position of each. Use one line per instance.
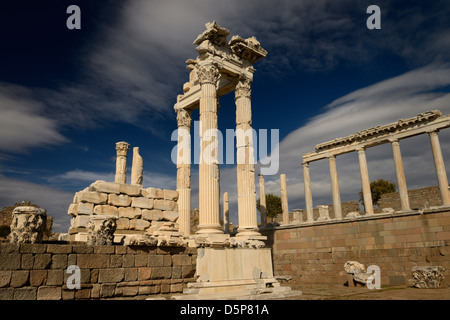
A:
(362, 293)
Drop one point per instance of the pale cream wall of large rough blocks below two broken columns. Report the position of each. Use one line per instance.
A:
(139, 210)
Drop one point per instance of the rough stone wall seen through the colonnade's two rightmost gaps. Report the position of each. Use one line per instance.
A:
(418, 199)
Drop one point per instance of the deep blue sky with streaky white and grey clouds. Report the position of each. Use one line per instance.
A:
(67, 96)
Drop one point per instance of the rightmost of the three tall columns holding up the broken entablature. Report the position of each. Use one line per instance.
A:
(245, 162)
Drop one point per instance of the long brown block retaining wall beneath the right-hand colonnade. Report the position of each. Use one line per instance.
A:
(316, 254)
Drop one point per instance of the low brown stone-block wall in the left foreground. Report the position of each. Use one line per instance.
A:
(39, 271)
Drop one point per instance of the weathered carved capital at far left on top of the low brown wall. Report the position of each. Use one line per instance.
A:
(28, 224)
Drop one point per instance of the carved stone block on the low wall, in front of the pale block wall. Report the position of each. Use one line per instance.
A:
(100, 229)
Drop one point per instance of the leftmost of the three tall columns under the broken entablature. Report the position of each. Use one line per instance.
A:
(184, 171)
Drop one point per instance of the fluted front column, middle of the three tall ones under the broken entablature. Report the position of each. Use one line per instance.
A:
(209, 177)
